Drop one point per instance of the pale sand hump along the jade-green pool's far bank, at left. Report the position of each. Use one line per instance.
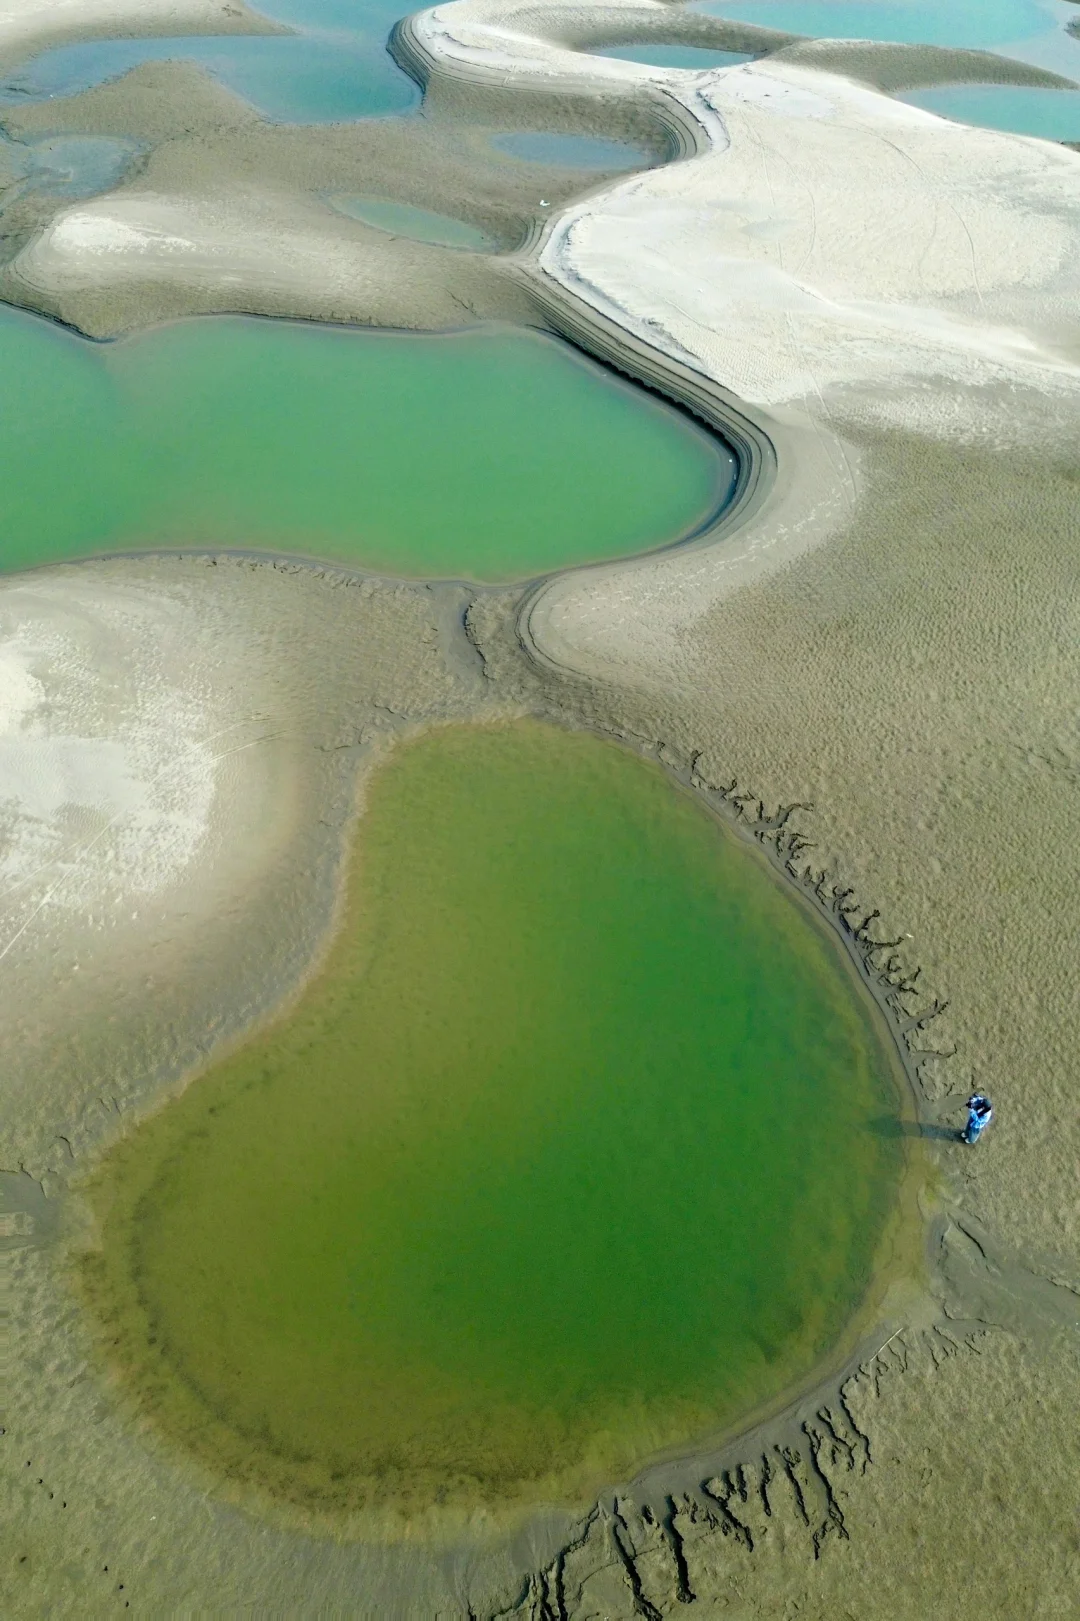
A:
(142, 255)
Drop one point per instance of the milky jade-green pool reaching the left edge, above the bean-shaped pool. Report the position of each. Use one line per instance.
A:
(489, 455)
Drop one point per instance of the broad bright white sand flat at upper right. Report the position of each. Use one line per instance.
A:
(834, 239)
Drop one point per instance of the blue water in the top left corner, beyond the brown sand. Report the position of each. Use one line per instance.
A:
(336, 69)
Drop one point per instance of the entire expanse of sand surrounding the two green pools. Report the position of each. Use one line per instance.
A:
(881, 309)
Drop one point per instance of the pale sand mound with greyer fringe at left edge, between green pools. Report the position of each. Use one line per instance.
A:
(144, 785)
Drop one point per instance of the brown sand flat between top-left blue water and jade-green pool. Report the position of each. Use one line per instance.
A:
(244, 182)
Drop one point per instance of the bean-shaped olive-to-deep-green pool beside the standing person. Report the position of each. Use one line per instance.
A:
(573, 1150)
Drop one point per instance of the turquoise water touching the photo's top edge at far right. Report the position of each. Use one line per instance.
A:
(1026, 30)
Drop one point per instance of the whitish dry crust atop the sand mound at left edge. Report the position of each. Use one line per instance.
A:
(108, 759)
